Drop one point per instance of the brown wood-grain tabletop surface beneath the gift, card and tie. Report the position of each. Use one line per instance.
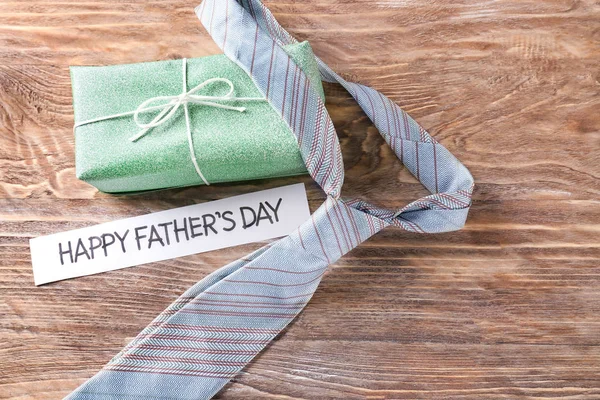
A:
(507, 308)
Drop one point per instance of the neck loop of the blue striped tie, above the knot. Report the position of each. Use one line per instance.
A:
(447, 179)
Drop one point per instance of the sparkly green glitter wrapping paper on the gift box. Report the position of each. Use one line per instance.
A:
(229, 146)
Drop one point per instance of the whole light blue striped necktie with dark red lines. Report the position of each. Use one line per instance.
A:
(213, 330)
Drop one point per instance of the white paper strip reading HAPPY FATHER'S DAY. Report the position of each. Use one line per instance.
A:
(168, 234)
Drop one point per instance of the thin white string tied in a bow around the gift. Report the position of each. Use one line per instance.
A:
(169, 105)
